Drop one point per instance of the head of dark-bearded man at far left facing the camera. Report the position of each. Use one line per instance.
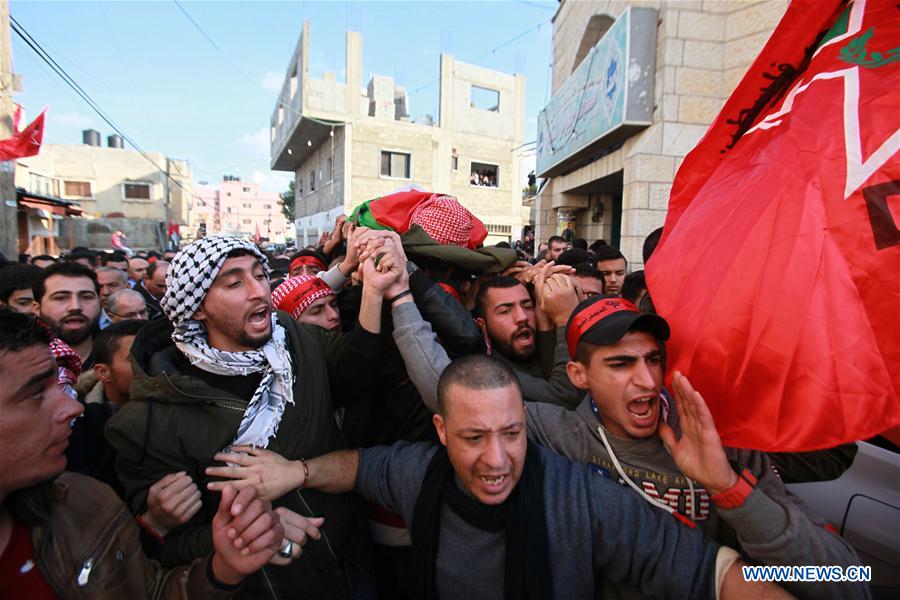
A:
(68, 298)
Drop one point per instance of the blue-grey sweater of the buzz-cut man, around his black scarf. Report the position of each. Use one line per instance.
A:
(596, 531)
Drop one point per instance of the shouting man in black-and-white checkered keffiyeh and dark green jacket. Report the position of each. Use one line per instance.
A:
(226, 370)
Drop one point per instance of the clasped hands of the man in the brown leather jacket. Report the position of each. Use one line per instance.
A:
(246, 535)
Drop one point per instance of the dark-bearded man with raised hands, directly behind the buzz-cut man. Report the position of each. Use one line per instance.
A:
(507, 315)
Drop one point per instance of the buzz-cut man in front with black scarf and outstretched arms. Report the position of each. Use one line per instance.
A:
(493, 515)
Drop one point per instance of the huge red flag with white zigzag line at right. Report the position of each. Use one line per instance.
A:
(779, 265)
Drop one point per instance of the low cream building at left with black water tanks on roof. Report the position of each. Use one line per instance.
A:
(110, 184)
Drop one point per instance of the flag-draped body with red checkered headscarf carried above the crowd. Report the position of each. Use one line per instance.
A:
(396, 211)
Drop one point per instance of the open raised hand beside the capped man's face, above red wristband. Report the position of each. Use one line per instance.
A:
(698, 452)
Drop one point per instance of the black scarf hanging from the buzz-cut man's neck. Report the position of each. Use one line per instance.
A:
(522, 516)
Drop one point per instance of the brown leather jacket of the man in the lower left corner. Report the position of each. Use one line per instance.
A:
(80, 528)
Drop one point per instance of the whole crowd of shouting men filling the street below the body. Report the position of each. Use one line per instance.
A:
(362, 420)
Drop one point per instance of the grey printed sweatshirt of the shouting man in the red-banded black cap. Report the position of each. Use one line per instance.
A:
(772, 527)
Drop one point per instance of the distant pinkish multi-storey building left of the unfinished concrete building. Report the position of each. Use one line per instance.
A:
(239, 208)
